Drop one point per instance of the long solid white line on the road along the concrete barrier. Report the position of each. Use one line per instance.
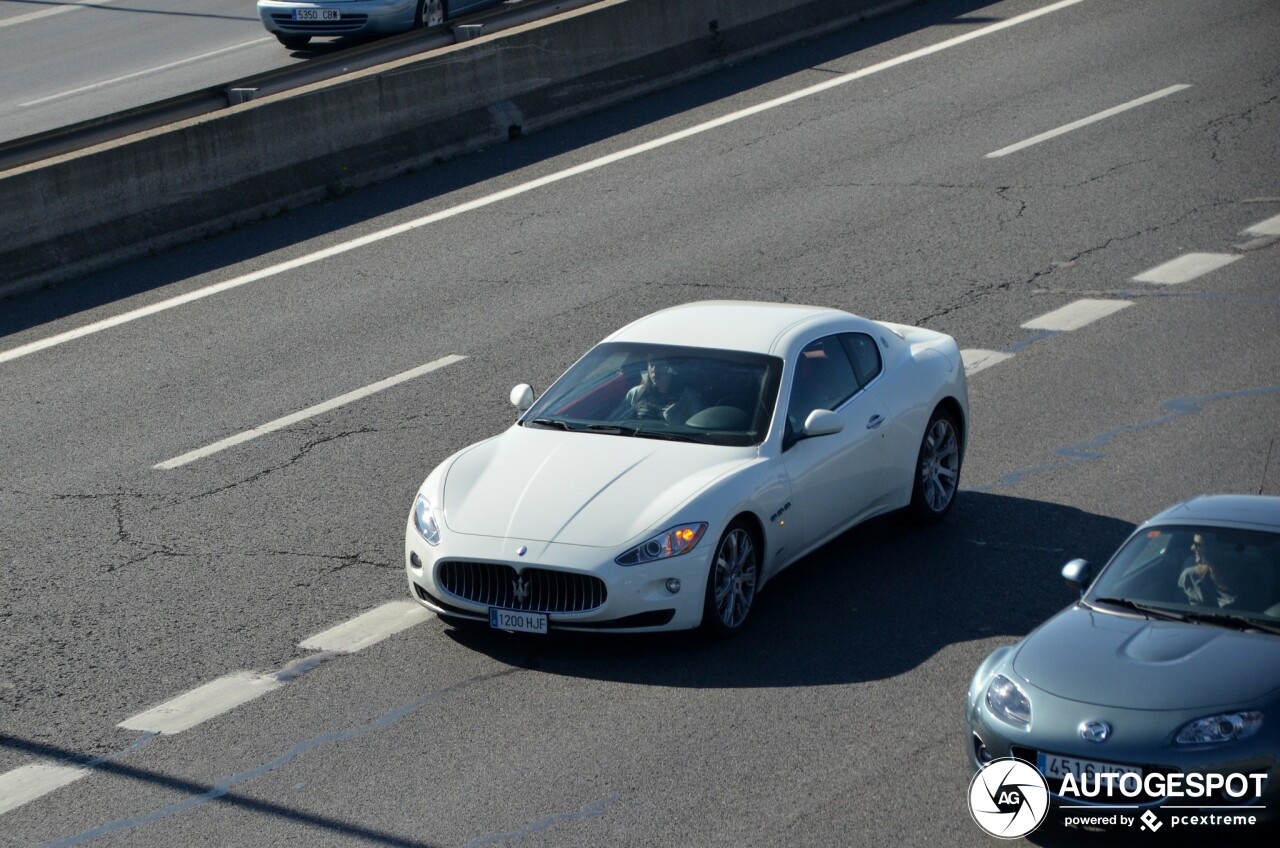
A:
(525, 188)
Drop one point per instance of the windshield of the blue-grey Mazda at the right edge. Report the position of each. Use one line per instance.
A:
(1210, 575)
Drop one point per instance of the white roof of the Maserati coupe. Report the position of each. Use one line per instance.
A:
(740, 326)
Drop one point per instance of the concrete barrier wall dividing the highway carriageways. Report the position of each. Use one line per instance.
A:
(89, 211)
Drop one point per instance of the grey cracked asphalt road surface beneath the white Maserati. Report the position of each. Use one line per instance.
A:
(1114, 285)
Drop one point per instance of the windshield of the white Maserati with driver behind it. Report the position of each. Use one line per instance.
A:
(661, 391)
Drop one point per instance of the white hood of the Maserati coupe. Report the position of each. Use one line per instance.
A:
(578, 489)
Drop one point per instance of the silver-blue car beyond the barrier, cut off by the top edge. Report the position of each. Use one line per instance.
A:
(296, 22)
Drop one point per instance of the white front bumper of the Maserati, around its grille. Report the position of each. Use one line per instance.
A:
(637, 599)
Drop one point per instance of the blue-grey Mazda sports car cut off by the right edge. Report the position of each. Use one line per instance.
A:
(1163, 682)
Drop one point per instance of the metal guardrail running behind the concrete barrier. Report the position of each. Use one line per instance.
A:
(86, 134)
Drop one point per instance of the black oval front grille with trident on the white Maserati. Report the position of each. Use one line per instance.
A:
(534, 590)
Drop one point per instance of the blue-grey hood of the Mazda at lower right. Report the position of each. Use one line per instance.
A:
(1130, 663)
